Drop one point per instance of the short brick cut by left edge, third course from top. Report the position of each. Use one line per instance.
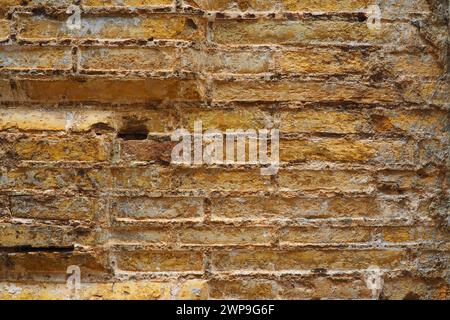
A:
(42, 58)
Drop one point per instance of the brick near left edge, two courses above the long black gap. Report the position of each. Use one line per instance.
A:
(57, 208)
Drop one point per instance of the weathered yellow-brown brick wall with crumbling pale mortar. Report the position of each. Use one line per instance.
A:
(85, 123)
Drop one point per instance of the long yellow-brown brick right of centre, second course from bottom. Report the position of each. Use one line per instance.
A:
(305, 259)
